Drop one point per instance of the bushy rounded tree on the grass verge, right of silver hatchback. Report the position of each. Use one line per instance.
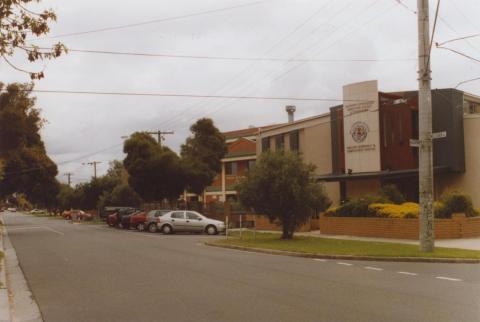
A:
(282, 187)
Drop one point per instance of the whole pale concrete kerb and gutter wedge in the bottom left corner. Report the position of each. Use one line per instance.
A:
(16, 300)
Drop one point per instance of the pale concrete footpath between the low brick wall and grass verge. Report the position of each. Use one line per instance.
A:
(464, 243)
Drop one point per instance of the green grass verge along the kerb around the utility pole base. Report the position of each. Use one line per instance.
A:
(330, 246)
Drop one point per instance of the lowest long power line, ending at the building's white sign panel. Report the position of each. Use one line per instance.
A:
(186, 95)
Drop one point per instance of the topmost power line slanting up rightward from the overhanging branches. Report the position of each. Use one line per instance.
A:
(201, 13)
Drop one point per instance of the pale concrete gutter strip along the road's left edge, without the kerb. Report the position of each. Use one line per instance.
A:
(22, 303)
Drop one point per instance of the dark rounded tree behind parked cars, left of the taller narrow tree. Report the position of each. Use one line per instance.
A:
(154, 172)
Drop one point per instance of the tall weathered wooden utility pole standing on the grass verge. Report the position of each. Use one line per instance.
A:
(425, 155)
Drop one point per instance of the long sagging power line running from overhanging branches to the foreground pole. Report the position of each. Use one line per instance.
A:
(230, 58)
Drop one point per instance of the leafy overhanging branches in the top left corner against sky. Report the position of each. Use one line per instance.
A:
(18, 24)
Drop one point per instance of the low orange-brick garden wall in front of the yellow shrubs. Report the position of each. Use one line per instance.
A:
(457, 227)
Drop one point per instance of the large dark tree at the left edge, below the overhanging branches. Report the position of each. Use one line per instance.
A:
(28, 169)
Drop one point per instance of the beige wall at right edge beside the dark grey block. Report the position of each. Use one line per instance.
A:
(469, 181)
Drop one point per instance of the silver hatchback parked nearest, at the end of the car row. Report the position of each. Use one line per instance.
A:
(189, 221)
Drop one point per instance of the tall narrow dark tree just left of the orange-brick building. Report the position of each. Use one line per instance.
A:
(202, 154)
